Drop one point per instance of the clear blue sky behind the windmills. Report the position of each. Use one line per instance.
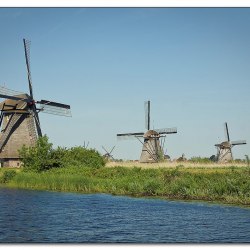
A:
(193, 64)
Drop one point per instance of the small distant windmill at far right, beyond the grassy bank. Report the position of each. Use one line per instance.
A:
(224, 149)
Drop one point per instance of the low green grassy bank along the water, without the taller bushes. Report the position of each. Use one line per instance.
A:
(222, 184)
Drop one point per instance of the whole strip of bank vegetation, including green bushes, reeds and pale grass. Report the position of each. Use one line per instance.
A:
(85, 171)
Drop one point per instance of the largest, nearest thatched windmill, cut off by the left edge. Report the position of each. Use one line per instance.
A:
(19, 120)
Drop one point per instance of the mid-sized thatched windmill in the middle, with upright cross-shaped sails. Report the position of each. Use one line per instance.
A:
(153, 140)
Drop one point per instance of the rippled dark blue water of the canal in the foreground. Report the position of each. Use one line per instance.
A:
(37, 216)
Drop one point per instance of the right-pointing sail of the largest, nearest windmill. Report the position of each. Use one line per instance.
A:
(54, 108)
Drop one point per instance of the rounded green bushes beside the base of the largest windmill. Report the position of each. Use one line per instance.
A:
(43, 157)
